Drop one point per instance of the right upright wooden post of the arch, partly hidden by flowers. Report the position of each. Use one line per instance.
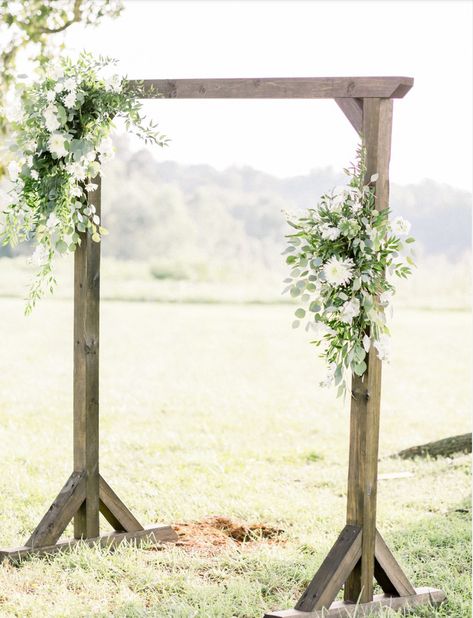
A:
(366, 390)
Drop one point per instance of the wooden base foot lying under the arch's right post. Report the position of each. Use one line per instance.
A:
(342, 609)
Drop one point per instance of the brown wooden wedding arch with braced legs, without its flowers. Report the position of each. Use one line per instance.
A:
(360, 554)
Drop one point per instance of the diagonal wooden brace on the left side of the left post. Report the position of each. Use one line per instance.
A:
(60, 513)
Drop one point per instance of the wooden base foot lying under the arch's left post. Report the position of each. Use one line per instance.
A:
(151, 534)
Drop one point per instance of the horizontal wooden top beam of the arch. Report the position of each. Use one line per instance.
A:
(276, 87)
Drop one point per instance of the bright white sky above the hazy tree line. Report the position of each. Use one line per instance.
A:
(430, 41)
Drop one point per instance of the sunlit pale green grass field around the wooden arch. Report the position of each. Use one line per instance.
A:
(216, 410)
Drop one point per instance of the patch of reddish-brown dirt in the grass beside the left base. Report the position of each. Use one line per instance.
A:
(213, 534)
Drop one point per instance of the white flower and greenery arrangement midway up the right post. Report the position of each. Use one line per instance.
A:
(341, 257)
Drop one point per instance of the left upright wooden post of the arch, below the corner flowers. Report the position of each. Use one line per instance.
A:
(86, 375)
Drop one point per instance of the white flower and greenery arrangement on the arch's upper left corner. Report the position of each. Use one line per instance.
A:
(62, 140)
